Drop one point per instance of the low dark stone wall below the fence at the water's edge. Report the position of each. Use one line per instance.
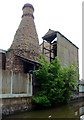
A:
(14, 105)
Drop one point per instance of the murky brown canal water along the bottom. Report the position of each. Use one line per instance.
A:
(71, 110)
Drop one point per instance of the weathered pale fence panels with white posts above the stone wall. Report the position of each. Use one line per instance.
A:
(16, 83)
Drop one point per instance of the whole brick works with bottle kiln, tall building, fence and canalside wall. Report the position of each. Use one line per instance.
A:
(17, 64)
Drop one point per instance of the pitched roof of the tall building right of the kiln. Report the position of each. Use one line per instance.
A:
(51, 35)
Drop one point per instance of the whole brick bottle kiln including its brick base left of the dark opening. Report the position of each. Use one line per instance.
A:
(25, 43)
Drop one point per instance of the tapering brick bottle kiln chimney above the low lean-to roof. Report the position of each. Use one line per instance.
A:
(26, 41)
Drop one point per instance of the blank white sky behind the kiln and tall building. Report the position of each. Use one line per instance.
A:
(64, 16)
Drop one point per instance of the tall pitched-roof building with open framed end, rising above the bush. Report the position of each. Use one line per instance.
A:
(55, 44)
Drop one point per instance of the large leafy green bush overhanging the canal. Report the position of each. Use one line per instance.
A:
(56, 82)
